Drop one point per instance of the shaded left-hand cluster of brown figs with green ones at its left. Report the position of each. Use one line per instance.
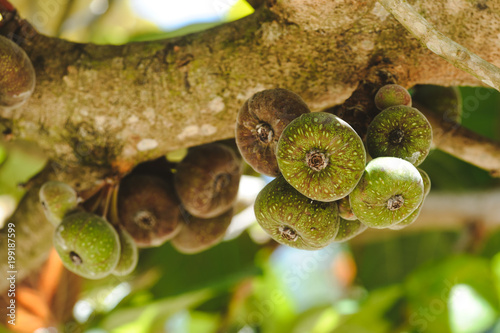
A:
(190, 203)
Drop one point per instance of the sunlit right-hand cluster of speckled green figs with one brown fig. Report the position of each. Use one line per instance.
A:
(324, 189)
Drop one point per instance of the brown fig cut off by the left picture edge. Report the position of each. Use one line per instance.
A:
(17, 76)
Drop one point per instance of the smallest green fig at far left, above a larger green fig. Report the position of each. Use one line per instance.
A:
(57, 199)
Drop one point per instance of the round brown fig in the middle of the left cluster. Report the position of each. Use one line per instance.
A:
(148, 209)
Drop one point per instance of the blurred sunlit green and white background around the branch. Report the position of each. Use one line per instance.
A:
(425, 281)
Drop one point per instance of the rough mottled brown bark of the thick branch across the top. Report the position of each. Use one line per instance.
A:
(99, 109)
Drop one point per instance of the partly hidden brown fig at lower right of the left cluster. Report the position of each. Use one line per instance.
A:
(199, 234)
